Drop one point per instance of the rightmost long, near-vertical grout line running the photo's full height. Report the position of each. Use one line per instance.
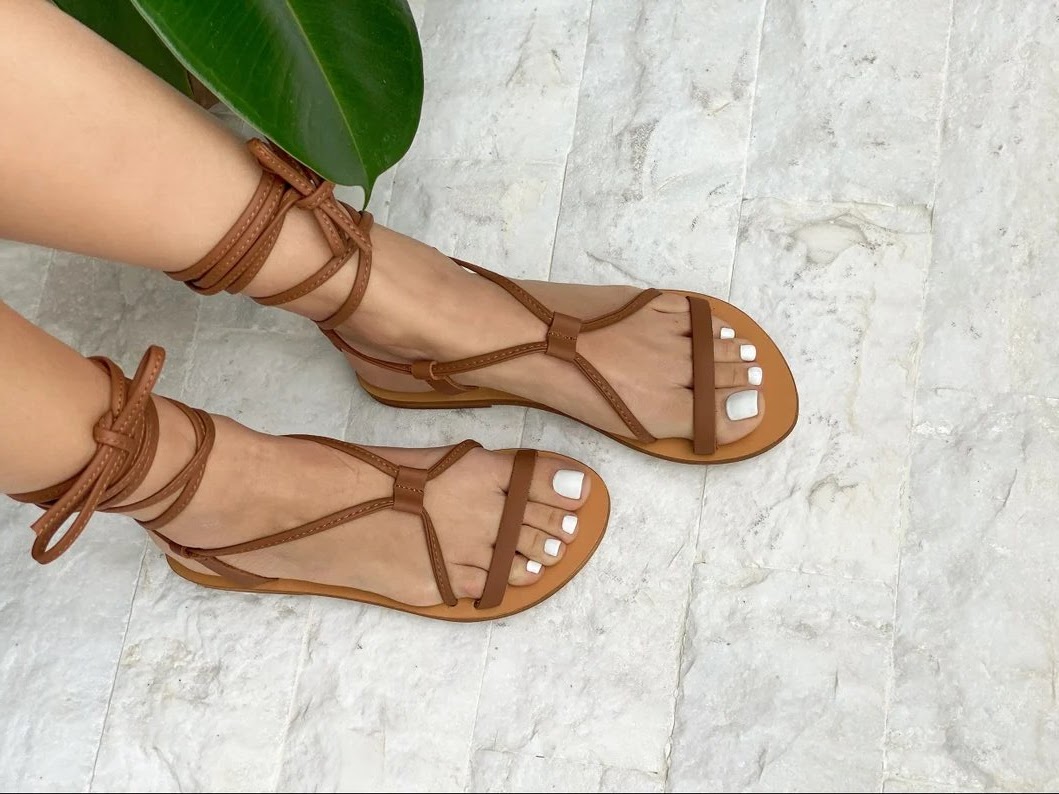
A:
(907, 509)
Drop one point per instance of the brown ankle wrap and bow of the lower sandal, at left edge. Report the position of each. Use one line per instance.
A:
(128, 440)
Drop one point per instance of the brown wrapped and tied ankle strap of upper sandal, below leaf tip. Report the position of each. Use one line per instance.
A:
(240, 256)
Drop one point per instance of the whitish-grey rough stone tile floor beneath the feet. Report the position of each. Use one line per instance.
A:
(873, 606)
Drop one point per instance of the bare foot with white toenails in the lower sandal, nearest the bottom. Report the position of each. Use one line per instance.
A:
(257, 484)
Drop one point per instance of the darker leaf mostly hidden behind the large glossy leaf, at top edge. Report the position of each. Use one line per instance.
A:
(121, 25)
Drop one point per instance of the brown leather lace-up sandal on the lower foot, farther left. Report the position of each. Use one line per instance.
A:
(128, 439)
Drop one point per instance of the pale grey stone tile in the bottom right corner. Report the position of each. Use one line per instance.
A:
(975, 656)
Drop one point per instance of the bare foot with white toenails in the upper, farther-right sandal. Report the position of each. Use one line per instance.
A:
(420, 305)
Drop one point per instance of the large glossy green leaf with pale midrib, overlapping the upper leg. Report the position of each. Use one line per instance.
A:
(338, 84)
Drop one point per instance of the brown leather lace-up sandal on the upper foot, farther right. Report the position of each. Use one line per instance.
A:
(285, 184)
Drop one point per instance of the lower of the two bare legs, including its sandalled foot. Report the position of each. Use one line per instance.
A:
(256, 484)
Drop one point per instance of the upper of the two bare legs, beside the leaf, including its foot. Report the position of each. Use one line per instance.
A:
(97, 145)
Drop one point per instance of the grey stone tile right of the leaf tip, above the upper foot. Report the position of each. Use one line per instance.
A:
(499, 215)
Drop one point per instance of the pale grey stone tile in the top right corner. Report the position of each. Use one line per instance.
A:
(994, 312)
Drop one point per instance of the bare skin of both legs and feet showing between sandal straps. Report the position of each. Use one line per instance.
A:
(110, 161)
